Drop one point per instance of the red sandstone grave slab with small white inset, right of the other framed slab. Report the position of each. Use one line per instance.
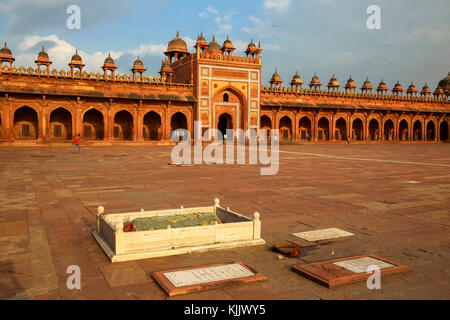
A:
(337, 272)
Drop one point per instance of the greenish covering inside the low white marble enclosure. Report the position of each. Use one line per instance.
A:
(175, 221)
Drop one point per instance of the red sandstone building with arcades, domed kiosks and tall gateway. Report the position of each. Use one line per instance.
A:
(211, 85)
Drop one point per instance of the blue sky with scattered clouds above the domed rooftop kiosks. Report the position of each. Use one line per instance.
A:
(324, 36)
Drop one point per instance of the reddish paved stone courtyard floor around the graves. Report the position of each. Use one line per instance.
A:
(395, 198)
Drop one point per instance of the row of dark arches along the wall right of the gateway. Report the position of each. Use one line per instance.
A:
(372, 128)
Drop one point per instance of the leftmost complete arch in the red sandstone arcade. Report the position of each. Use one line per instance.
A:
(26, 123)
